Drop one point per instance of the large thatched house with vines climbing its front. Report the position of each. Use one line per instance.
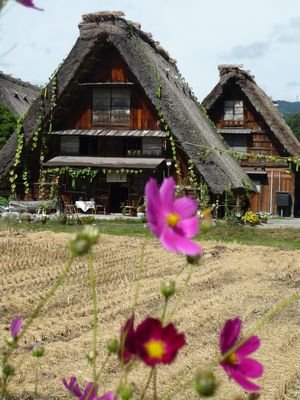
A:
(116, 112)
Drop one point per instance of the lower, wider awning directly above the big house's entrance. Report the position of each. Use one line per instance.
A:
(104, 162)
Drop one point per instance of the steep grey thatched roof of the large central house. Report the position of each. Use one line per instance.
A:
(152, 67)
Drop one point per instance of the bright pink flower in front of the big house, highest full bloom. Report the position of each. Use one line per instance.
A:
(172, 221)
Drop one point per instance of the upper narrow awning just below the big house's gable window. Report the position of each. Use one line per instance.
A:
(110, 132)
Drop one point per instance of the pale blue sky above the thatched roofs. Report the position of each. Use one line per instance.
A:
(262, 35)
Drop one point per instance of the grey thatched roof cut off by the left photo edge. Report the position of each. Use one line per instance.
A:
(16, 94)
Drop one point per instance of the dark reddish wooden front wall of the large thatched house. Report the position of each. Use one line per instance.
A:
(110, 73)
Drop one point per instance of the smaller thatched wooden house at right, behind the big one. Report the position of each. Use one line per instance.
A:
(250, 123)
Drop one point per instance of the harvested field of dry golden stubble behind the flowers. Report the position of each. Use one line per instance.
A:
(232, 280)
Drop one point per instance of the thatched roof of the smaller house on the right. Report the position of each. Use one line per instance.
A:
(262, 103)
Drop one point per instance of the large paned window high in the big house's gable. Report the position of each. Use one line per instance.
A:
(111, 106)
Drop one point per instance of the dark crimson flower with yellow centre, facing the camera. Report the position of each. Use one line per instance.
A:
(155, 343)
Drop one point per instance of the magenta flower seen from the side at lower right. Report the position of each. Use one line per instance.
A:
(237, 365)
